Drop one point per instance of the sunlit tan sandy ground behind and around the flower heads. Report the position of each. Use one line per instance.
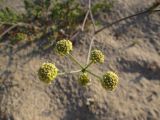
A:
(24, 97)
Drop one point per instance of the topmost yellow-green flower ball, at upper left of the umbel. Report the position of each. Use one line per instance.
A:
(63, 47)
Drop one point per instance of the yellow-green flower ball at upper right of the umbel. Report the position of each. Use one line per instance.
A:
(97, 56)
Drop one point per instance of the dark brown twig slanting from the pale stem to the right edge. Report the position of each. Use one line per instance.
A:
(125, 18)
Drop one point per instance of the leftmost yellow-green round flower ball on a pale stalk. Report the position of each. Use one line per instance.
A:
(47, 72)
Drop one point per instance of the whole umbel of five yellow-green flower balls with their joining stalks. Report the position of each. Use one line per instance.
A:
(48, 71)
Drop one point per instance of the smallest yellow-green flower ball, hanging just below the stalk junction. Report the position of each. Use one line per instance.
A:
(83, 79)
